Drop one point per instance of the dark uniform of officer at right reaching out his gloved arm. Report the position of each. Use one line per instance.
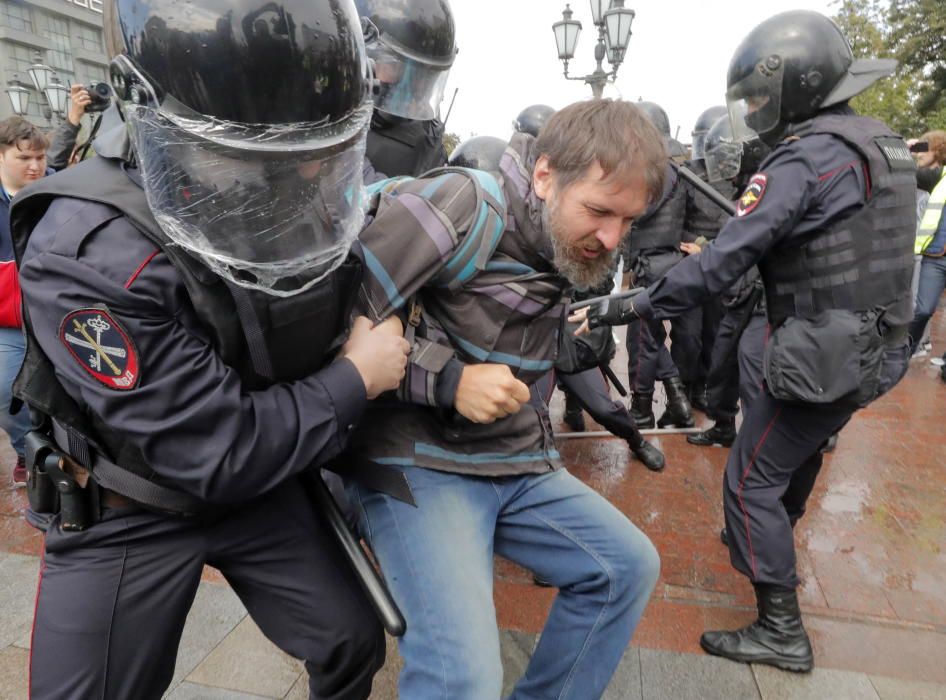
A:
(804, 220)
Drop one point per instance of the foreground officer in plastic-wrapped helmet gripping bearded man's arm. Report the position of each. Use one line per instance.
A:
(185, 295)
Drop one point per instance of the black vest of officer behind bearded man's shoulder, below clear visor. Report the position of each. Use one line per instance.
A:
(405, 147)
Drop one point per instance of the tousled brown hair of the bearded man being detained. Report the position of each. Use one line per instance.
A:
(613, 133)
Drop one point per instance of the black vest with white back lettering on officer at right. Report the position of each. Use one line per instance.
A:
(865, 261)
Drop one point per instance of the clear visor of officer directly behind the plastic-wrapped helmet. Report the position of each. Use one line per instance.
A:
(407, 87)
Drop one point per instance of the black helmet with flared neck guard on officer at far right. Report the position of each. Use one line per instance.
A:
(789, 68)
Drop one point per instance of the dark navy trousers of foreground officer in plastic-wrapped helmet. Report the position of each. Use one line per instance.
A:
(113, 599)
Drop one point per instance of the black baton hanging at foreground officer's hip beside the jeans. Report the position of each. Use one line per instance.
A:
(377, 592)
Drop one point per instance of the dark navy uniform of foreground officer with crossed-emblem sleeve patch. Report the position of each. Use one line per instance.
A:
(123, 322)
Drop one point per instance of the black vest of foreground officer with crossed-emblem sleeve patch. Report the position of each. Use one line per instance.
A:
(256, 334)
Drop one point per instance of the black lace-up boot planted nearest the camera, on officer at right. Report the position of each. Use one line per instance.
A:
(776, 638)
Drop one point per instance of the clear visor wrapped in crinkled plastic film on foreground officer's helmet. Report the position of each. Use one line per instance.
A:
(273, 208)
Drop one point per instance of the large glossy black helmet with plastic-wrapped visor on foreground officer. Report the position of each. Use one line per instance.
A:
(248, 126)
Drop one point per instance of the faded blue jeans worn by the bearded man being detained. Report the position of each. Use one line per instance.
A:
(437, 559)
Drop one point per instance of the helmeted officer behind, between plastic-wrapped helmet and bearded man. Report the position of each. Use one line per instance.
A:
(412, 47)
